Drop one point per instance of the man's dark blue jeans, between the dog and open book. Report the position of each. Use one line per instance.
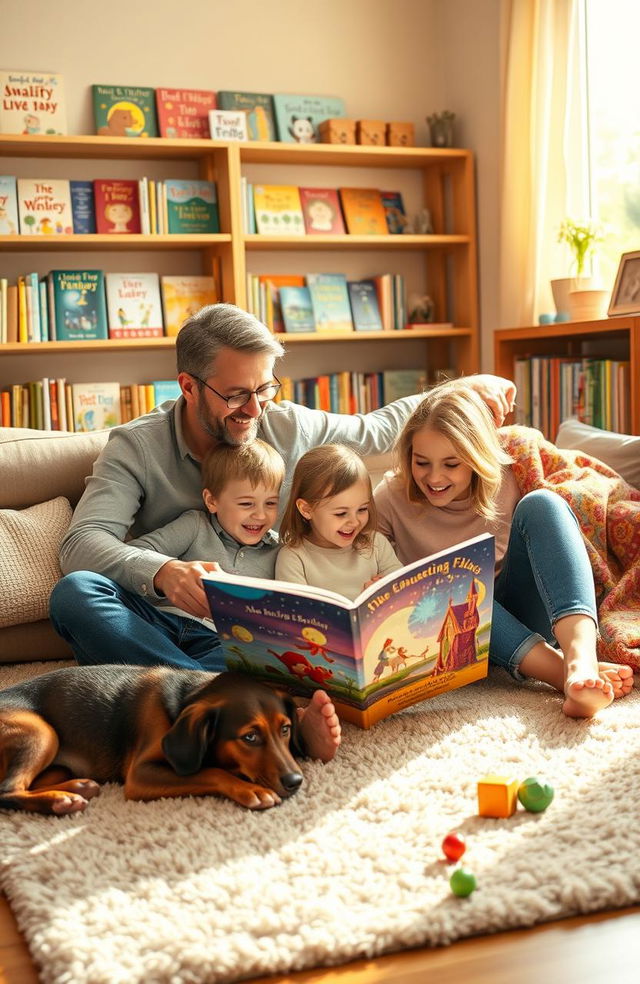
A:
(103, 623)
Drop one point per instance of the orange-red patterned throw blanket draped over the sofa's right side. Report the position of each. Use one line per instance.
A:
(608, 510)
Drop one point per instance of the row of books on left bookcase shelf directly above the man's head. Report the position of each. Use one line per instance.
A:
(88, 305)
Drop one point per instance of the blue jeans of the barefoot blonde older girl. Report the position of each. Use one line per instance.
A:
(546, 575)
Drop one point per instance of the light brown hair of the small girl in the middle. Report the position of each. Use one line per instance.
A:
(321, 473)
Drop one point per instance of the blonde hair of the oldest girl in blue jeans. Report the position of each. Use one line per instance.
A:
(454, 410)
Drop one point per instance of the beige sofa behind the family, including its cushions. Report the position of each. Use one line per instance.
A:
(42, 477)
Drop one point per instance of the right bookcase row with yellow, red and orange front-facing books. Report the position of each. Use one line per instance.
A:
(287, 210)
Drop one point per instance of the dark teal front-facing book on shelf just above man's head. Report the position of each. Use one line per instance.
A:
(79, 304)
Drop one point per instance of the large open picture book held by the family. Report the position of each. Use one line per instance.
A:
(413, 634)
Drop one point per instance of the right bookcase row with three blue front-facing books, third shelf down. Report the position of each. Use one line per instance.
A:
(327, 302)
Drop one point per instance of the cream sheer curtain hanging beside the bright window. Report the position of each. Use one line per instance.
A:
(544, 173)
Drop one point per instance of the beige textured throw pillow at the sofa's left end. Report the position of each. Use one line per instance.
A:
(29, 545)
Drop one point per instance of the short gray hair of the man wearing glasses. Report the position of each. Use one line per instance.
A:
(219, 326)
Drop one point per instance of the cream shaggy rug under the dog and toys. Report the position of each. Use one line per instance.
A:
(199, 890)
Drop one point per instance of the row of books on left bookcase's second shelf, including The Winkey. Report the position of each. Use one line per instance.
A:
(58, 206)
